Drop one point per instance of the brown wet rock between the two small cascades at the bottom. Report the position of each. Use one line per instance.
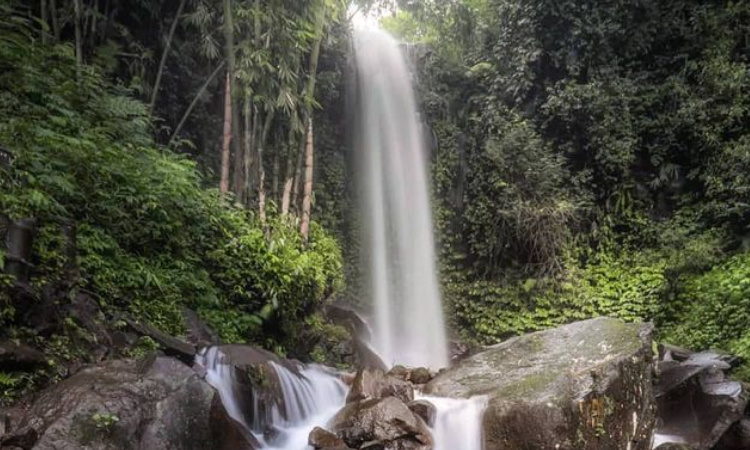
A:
(386, 423)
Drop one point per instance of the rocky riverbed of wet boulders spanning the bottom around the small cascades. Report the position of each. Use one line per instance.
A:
(598, 384)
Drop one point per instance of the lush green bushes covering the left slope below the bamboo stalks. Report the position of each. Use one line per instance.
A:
(150, 238)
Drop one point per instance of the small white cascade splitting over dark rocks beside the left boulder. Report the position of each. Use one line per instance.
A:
(311, 398)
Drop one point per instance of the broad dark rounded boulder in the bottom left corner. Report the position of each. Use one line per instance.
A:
(158, 404)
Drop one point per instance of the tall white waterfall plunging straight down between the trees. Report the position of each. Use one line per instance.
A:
(408, 318)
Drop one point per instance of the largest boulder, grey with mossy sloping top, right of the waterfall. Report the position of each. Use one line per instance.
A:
(583, 386)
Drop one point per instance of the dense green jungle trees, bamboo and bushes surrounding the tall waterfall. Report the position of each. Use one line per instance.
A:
(588, 158)
